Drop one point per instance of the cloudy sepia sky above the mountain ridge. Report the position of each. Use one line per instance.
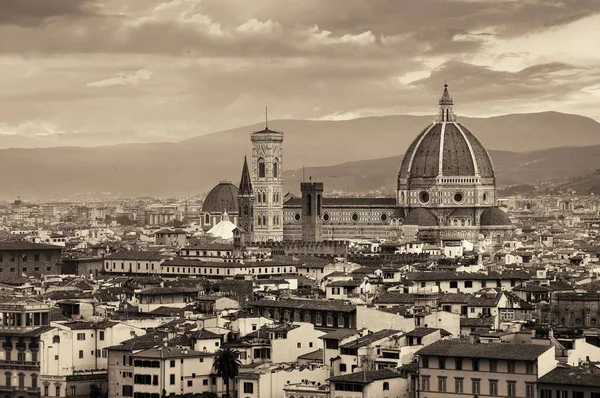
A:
(96, 72)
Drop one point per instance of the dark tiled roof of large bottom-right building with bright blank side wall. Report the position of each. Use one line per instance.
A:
(465, 349)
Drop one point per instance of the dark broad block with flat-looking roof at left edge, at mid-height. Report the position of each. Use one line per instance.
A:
(22, 257)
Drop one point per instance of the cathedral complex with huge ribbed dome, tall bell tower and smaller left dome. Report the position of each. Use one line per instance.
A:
(446, 193)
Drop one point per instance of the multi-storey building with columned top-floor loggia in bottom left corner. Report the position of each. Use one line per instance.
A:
(22, 321)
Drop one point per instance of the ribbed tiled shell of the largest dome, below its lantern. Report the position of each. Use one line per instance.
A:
(452, 144)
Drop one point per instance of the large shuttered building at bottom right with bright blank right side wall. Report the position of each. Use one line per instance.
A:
(466, 369)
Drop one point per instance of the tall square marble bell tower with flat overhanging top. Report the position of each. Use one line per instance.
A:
(267, 181)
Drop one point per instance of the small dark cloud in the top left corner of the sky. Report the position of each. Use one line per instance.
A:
(34, 12)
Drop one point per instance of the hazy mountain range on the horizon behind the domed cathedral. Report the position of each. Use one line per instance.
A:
(352, 155)
